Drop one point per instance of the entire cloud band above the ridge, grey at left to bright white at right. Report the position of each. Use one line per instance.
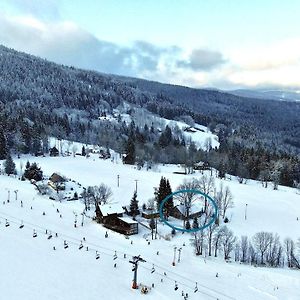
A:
(66, 43)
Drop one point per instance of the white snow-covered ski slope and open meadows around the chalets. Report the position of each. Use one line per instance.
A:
(32, 269)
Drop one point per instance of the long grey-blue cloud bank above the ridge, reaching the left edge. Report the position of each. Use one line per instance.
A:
(66, 43)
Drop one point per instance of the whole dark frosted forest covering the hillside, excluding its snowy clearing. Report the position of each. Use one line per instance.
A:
(38, 99)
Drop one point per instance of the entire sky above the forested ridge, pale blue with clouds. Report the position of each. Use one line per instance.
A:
(225, 44)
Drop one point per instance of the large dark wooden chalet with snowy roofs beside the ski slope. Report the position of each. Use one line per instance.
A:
(111, 216)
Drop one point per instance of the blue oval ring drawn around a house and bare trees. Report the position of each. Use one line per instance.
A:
(211, 200)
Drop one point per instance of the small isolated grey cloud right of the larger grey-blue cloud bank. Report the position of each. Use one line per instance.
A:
(202, 60)
